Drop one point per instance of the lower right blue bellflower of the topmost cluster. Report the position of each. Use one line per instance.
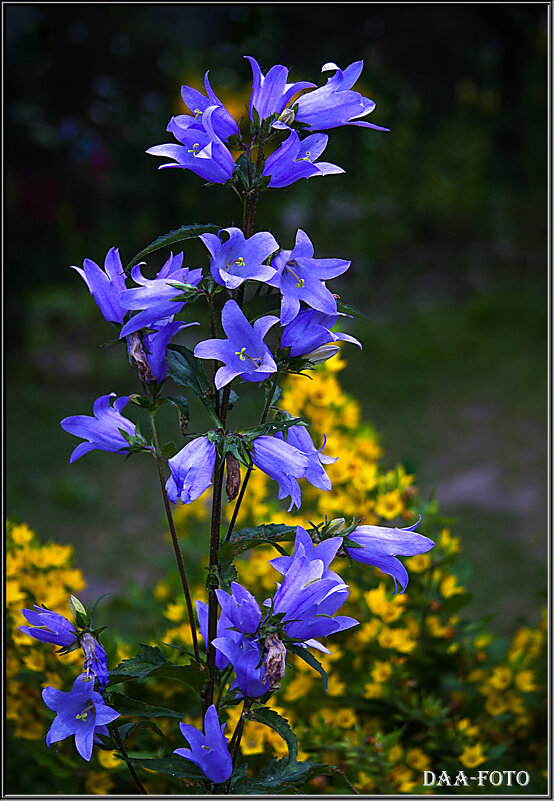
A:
(295, 159)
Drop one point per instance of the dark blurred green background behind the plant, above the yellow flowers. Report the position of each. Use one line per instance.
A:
(444, 219)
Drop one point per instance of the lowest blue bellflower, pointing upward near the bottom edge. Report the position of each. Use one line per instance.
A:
(209, 750)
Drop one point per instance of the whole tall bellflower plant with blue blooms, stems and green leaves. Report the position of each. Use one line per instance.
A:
(270, 314)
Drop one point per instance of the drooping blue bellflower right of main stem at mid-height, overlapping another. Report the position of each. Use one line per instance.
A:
(283, 463)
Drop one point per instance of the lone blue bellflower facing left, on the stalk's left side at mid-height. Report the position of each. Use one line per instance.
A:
(101, 431)
